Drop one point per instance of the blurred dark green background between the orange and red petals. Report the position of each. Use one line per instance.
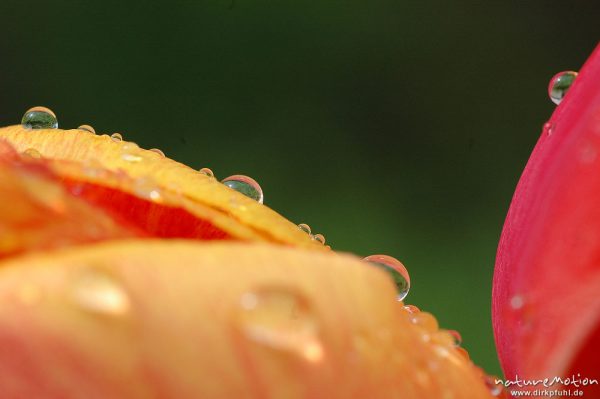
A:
(396, 127)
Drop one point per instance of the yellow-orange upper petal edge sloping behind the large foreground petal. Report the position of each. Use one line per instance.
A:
(75, 154)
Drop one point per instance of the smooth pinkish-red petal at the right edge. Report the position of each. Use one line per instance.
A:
(546, 295)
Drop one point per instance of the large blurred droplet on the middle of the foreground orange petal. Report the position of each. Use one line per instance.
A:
(282, 320)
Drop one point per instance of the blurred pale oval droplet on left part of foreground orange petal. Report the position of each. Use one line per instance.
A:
(98, 292)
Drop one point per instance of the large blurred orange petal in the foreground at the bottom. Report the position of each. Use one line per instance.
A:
(141, 319)
